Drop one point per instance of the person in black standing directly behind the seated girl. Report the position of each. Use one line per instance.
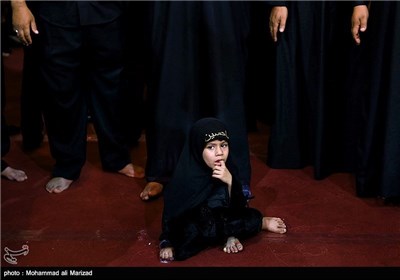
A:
(198, 56)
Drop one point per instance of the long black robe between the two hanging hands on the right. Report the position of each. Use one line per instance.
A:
(312, 55)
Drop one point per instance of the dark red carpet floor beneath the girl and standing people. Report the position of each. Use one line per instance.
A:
(101, 222)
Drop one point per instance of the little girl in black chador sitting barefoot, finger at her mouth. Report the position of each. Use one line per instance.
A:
(204, 204)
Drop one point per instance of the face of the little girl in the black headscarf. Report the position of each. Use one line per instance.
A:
(215, 152)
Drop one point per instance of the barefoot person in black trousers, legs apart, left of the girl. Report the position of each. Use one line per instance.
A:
(81, 63)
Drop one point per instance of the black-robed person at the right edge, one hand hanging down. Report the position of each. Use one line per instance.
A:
(376, 31)
